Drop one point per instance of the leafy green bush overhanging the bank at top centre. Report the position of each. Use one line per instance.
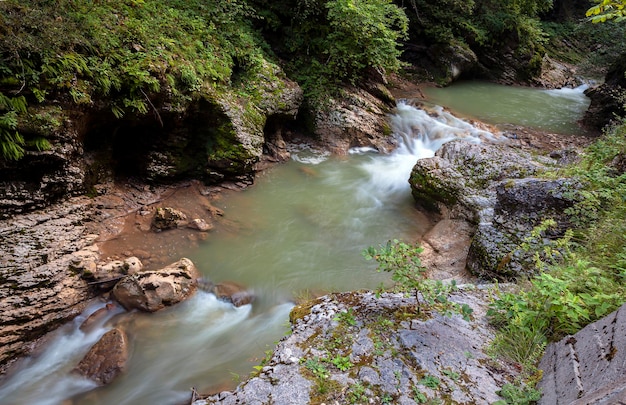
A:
(330, 42)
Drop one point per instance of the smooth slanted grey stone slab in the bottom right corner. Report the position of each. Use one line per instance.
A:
(588, 367)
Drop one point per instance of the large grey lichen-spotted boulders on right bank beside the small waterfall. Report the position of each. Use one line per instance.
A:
(491, 187)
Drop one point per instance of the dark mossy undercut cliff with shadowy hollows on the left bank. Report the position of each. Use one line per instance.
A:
(215, 137)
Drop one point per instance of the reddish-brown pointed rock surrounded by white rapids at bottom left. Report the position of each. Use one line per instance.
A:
(106, 359)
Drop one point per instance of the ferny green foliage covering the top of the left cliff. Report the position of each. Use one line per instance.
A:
(126, 51)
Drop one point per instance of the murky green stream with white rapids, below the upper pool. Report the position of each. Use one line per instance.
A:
(300, 228)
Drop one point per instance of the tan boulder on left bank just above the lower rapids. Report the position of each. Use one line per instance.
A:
(151, 291)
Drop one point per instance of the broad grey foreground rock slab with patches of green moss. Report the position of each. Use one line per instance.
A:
(355, 347)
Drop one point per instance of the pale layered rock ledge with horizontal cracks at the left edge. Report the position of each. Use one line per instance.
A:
(40, 288)
